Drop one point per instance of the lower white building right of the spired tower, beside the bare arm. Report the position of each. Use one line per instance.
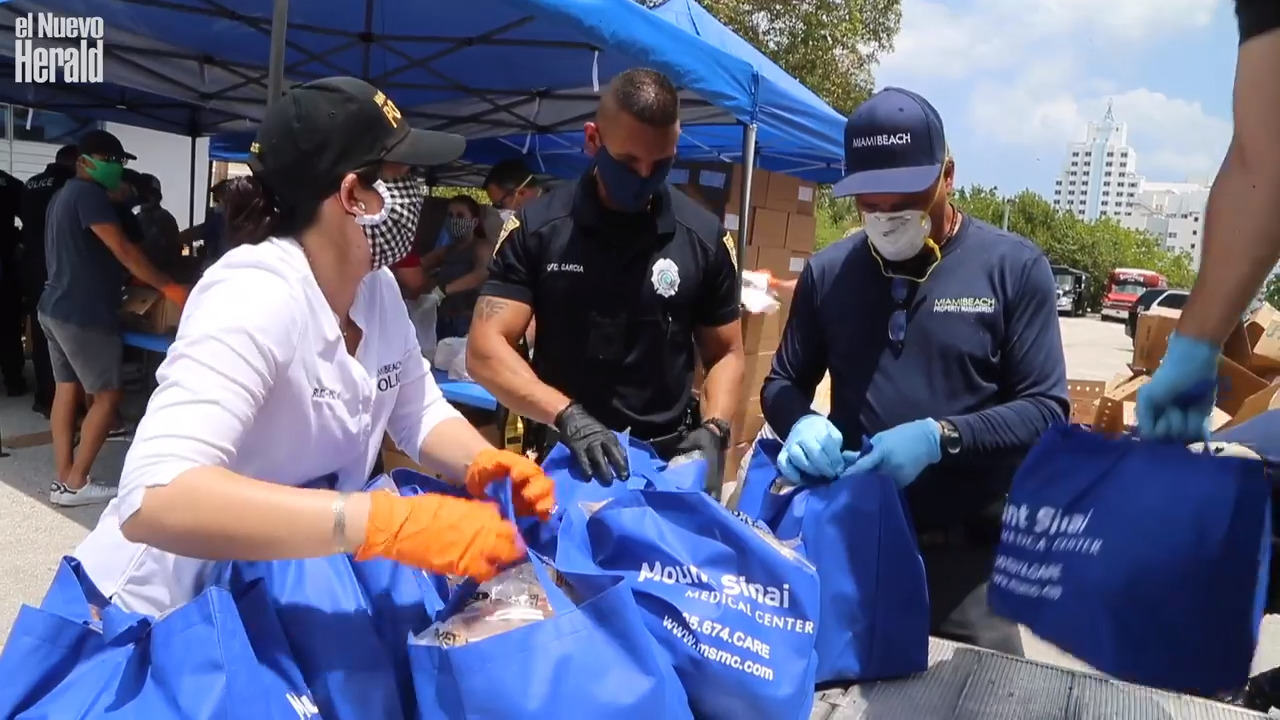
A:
(1173, 212)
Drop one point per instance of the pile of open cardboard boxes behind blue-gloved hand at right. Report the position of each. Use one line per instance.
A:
(1249, 381)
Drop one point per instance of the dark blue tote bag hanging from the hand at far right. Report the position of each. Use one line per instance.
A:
(1141, 559)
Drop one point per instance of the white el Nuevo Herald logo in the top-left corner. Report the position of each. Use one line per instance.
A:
(52, 48)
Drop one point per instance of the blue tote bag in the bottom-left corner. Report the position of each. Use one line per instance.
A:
(217, 658)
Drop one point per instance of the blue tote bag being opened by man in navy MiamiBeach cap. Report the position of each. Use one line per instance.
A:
(875, 612)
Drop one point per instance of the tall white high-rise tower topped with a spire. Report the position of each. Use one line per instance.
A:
(1100, 176)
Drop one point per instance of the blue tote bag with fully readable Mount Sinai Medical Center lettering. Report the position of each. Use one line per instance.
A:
(734, 609)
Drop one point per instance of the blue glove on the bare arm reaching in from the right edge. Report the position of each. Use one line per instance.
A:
(1177, 403)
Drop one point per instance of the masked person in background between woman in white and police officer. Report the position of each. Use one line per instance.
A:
(459, 270)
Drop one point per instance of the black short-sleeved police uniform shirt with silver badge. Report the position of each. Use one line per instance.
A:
(616, 299)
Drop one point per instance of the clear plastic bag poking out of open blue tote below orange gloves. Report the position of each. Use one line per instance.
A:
(513, 600)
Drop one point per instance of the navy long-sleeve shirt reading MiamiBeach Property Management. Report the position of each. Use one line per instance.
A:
(982, 349)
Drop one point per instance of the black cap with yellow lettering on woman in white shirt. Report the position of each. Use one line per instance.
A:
(318, 133)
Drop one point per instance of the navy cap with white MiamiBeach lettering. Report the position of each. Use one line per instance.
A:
(894, 143)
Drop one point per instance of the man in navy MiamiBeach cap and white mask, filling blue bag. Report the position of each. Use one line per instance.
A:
(941, 338)
